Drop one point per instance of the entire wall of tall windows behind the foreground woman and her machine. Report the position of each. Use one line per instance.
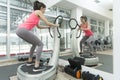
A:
(19, 11)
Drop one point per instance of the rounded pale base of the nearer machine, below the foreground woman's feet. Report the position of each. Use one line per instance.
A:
(26, 73)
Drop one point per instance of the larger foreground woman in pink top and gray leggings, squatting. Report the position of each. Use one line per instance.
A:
(24, 32)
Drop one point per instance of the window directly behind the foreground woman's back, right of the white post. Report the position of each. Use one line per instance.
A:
(17, 45)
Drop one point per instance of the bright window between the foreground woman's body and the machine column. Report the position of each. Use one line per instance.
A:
(44, 35)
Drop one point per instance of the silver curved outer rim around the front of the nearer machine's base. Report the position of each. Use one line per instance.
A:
(45, 75)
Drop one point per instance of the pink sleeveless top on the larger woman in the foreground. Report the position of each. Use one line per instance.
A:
(30, 22)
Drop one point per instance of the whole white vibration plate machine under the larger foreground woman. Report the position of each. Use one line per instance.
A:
(49, 73)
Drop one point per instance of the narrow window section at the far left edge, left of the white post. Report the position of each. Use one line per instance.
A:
(3, 29)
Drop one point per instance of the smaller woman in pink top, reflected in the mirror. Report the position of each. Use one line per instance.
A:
(86, 29)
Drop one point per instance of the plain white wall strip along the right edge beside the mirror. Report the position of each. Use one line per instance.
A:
(116, 41)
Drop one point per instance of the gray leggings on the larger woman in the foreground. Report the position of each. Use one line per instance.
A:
(32, 39)
